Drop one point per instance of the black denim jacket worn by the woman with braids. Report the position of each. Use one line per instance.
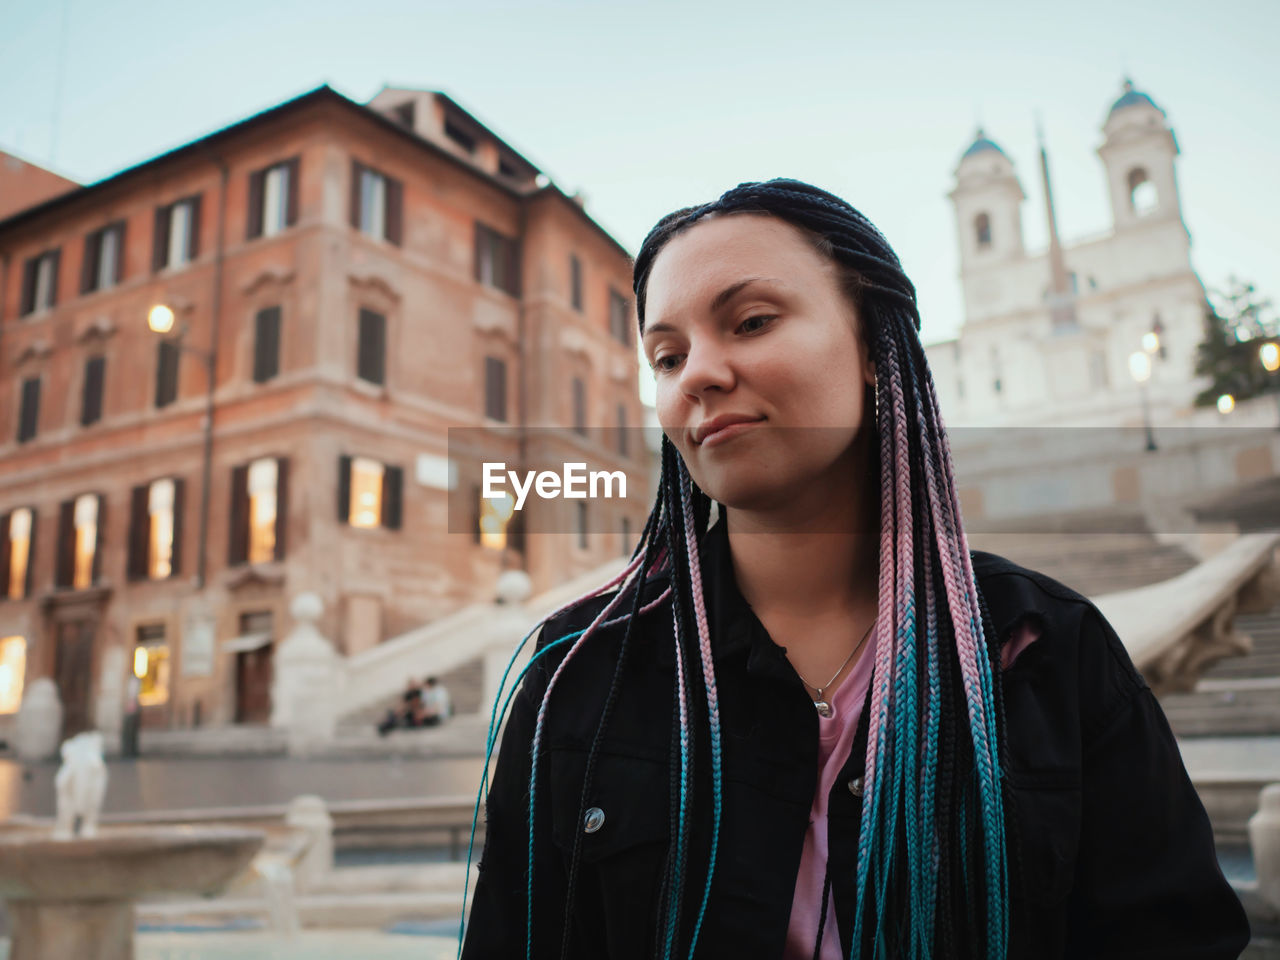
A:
(1117, 851)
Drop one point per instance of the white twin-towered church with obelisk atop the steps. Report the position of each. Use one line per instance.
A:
(1048, 337)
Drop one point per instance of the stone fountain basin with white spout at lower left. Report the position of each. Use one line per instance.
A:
(71, 892)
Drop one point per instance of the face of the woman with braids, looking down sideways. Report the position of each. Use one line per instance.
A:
(744, 319)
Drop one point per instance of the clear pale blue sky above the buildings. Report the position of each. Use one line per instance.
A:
(648, 107)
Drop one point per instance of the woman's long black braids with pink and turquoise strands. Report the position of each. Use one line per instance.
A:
(932, 877)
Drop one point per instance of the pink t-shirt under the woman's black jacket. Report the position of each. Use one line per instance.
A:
(835, 740)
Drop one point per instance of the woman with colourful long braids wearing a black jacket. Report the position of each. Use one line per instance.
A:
(820, 726)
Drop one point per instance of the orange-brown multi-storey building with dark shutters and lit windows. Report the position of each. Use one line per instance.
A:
(362, 280)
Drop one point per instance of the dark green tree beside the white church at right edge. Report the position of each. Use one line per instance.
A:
(1235, 331)
